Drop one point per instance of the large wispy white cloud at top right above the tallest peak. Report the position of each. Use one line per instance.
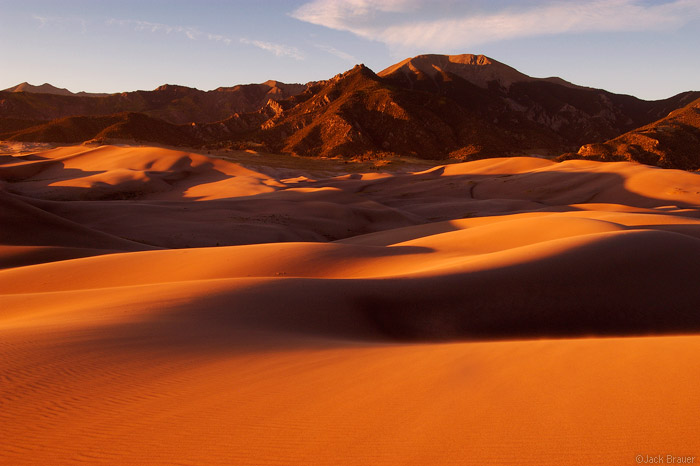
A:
(396, 23)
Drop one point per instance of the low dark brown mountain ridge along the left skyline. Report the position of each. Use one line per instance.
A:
(174, 104)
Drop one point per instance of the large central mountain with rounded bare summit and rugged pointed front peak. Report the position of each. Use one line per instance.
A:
(437, 107)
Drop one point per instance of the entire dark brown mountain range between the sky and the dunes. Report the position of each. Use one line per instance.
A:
(438, 107)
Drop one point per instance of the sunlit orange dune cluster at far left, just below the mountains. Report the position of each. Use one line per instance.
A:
(110, 172)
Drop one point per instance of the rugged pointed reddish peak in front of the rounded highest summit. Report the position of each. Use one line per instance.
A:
(358, 113)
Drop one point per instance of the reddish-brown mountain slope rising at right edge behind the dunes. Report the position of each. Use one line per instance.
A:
(671, 142)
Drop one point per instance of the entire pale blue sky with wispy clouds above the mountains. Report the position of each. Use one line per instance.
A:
(639, 47)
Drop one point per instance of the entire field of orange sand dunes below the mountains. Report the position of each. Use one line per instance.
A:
(501, 311)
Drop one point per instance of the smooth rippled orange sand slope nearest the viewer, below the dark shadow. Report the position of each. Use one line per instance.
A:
(99, 398)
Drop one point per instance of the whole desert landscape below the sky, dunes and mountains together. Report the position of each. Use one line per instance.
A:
(445, 262)
